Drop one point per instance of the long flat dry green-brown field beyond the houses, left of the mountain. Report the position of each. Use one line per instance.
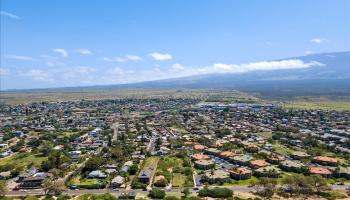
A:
(58, 95)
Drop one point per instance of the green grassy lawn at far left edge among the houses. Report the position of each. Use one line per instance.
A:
(23, 159)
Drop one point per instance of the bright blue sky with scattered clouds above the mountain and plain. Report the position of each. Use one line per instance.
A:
(61, 43)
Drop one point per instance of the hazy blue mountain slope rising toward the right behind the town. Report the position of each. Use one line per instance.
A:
(330, 76)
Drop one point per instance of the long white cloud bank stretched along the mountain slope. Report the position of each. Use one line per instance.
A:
(119, 75)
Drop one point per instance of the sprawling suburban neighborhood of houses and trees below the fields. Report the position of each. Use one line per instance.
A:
(172, 148)
